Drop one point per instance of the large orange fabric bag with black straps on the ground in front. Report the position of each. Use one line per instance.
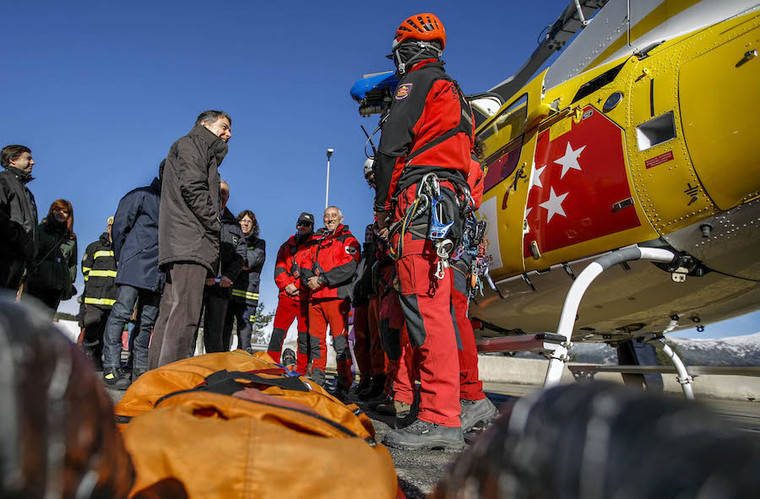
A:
(237, 425)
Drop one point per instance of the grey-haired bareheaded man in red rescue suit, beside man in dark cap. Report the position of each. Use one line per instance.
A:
(328, 273)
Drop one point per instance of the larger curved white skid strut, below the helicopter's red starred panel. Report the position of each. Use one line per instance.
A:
(578, 289)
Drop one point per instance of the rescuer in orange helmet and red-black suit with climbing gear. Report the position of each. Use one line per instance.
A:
(428, 130)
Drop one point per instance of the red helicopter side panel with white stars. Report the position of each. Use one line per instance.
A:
(579, 190)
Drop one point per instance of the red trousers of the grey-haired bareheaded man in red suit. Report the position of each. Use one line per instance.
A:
(332, 312)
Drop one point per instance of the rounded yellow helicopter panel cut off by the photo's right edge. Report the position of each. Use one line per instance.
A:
(719, 112)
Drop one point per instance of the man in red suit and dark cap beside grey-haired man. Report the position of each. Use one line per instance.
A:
(294, 297)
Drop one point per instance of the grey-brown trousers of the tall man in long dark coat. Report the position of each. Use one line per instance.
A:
(179, 314)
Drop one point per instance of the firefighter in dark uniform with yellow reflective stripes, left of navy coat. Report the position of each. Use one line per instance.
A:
(99, 270)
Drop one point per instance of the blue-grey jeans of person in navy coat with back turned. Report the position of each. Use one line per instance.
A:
(147, 311)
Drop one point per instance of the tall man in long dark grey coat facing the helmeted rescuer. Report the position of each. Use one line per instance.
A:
(188, 233)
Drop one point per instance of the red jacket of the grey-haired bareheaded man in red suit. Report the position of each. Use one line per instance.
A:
(333, 257)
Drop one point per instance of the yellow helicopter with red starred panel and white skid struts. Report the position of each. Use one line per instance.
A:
(640, 134)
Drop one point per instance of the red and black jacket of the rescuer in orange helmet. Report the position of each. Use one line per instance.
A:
(429, 128)
